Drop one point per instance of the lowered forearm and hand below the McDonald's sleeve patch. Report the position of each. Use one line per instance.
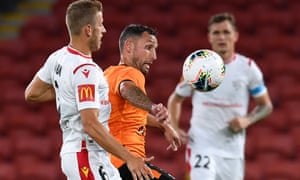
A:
(102, 136)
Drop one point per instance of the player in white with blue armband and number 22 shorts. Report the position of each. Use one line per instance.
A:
(216, 138)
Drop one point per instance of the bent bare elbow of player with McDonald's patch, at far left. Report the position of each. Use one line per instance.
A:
(39, 91)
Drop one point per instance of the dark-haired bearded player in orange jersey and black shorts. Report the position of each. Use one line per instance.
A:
(132, 110)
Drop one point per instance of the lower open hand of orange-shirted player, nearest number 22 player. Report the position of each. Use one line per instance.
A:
(172, 137)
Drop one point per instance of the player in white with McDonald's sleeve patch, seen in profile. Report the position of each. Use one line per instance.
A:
(77, 83)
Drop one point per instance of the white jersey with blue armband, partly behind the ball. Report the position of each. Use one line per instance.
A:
(209, 128)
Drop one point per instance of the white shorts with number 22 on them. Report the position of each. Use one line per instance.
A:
(211, 167)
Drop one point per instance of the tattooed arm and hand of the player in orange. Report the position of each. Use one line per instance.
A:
(133, 94)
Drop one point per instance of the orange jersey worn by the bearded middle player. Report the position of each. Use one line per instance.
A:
(127, 123)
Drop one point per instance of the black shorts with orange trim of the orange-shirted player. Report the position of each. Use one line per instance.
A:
(158, 173)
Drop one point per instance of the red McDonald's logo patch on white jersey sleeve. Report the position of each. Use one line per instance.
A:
(86, 92)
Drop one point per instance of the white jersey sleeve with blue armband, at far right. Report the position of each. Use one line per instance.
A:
(257, 86)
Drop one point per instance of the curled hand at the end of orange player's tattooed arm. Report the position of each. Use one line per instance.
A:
(160, 112)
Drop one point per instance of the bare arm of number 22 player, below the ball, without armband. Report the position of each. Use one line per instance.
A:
(175, 102)
